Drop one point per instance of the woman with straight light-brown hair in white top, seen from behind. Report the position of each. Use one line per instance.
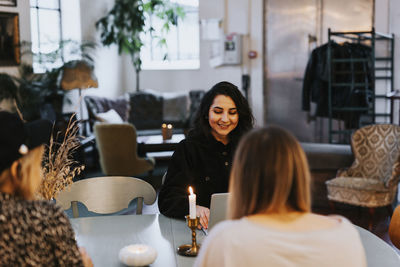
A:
(271, 223)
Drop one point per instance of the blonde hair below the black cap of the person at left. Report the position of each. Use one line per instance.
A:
(26, 178)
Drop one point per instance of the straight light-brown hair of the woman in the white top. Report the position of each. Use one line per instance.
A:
(270, 174)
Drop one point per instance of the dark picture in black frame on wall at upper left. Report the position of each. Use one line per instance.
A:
(10, 54)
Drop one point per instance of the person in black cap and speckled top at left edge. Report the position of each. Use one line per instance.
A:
(32, 232)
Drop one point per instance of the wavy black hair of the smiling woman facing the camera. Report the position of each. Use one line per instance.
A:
(246, 120)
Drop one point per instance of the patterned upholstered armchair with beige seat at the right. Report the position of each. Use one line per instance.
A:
(372, 179)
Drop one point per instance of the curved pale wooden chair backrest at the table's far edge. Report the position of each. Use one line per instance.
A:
(107, 194)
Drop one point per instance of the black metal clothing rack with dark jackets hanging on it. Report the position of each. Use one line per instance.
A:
(376, 81)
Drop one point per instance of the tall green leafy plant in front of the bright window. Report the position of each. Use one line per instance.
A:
(125, 22)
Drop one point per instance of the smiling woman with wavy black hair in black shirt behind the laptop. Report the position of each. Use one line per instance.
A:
(203, 160)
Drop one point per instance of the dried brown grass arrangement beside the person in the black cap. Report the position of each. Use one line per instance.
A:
(59, 167)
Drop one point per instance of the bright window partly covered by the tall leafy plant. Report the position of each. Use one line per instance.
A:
(182, 50)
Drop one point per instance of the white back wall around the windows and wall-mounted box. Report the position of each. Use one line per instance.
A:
(116, 75)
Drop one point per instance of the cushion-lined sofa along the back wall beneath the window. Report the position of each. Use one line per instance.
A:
(146, 109)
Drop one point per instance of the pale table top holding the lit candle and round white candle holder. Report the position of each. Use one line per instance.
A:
(104, 236)
